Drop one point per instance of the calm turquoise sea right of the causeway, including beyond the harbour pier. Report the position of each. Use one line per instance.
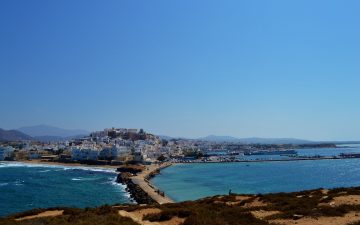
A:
(192, 181)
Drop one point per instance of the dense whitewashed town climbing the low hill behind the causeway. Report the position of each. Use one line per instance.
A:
(112, 146)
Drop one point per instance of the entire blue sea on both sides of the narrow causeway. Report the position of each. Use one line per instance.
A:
(28, 186)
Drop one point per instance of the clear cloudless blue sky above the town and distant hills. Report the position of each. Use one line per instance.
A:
(183, 68)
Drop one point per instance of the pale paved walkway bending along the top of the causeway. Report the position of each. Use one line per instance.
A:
(142, 180)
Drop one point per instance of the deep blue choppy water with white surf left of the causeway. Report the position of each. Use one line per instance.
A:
(24, 187)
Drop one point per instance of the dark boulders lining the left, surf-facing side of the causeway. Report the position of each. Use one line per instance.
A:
(136, 192)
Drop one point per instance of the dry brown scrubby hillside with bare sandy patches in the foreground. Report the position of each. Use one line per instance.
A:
(337, 206)
